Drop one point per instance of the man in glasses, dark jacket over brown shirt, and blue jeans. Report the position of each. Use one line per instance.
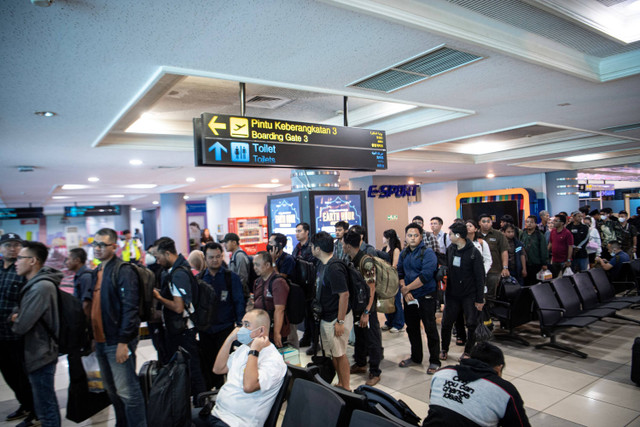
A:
(115, 321)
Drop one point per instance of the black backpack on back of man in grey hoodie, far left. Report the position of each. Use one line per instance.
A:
(74, 337)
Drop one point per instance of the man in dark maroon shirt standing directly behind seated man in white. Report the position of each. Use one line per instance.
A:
(271, 293)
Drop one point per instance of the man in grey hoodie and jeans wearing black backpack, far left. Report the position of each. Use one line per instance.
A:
(37, 318)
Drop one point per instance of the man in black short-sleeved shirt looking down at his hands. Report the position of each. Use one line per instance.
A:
(178, 299)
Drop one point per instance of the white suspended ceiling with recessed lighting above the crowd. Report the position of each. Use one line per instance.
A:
(546, 87)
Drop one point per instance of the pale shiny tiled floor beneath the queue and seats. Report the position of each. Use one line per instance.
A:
(558, 389)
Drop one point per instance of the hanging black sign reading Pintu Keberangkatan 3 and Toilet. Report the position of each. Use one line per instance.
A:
(222, 140)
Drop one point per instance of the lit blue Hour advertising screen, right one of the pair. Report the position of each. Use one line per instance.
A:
(331, 208)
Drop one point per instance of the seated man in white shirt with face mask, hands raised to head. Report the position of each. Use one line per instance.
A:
(255, 372)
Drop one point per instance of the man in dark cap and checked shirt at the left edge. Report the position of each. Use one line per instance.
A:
(12, 354)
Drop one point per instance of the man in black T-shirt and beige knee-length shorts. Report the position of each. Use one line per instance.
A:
(332, 305)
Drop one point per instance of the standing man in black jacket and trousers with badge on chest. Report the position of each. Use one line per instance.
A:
(465, 288)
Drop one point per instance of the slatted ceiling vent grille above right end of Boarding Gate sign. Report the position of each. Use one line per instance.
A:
(416, 69)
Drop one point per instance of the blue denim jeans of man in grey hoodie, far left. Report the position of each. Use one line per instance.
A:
(44, 395)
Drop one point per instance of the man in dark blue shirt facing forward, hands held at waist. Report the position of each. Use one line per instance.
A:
(416, 267)
